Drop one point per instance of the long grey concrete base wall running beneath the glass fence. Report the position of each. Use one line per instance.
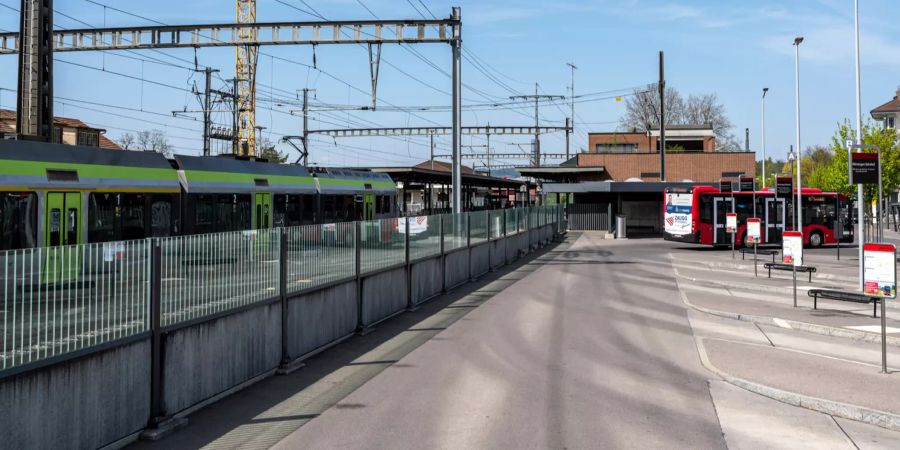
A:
(100, 398)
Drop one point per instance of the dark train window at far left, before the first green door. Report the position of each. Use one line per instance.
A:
(18, 220)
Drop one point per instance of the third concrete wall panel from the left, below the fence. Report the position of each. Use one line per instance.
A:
(321, 317)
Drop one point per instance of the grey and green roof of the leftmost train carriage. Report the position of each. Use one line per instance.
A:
(40, 165)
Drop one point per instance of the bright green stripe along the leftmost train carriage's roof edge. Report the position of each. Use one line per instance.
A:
(39, 169)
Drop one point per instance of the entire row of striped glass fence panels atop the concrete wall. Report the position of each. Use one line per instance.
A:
(58, 300)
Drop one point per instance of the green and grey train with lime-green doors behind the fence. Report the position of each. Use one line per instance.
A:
(53, 194)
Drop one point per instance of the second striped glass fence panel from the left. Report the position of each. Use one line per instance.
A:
(208, 274)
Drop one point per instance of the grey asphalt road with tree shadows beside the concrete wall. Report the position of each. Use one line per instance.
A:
(591, 350)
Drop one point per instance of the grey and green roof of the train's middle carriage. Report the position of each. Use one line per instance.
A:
(205, 174)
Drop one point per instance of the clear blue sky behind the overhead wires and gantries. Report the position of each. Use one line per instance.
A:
(732, 49)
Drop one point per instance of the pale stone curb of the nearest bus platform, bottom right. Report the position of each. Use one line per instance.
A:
(882, 419)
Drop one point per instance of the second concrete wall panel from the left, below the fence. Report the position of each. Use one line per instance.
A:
(202, 360)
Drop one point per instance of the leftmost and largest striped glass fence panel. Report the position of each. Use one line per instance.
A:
(62, 299)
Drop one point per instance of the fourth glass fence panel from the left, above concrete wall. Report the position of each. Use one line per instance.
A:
(381, 244)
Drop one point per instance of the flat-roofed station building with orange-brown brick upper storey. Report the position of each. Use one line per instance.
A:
(621, 173)
